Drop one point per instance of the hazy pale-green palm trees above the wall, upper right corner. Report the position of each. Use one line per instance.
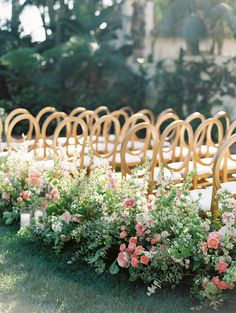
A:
(195, 20)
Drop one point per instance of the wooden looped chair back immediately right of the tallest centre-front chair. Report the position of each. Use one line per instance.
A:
(181, 129)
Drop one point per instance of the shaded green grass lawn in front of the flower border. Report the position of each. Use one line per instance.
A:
(35, 280)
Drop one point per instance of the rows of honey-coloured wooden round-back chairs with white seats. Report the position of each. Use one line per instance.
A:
(177, 147)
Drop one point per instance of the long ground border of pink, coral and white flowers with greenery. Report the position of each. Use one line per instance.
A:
(119, 225)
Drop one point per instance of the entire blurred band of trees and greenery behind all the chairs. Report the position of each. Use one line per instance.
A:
(79, 63)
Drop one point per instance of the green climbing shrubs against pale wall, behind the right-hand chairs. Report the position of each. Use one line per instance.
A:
(191, 86)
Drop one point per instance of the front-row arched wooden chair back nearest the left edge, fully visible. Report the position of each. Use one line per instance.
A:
(15, 144)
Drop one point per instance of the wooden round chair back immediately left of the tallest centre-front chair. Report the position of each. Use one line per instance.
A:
(104, 127)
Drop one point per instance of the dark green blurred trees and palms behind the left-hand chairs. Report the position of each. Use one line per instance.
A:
(75, 65)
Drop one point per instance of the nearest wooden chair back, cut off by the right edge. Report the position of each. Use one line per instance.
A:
(219, 160)
